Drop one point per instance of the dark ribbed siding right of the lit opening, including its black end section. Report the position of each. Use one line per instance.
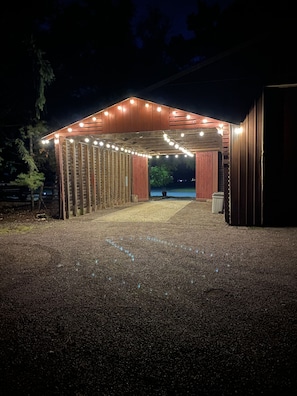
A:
(263, 166)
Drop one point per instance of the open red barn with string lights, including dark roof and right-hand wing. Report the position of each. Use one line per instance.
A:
(244, 101)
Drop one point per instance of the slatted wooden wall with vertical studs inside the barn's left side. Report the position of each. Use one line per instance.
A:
(93, 178)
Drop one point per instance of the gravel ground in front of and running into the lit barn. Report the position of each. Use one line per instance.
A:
(175, 304)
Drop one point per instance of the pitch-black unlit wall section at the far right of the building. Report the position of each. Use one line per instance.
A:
(280, 164)
